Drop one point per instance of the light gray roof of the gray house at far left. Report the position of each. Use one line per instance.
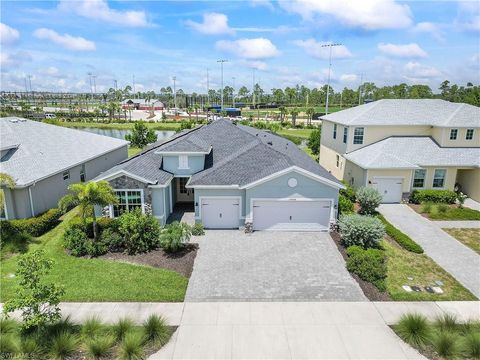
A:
(39, 150)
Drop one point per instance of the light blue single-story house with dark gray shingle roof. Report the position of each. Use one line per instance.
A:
(231, 175)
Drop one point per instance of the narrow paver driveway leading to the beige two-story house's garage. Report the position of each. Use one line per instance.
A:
(459, 260)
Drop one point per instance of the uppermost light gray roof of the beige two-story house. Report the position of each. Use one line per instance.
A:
(396, 112)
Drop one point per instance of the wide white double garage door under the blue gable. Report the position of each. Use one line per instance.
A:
(291, 215)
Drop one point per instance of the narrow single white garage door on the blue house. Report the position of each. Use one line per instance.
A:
(220, 213)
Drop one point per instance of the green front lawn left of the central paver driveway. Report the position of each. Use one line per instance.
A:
(95, 279)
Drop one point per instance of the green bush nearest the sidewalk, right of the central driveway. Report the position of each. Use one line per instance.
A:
(370, 265)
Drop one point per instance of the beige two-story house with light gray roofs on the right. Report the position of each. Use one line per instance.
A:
(398, 145)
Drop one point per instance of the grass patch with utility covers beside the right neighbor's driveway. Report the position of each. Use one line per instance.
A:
(403, 264)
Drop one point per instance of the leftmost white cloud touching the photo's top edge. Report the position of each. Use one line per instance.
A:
(99, 10)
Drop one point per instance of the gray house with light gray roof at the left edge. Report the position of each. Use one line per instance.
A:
(44, 159)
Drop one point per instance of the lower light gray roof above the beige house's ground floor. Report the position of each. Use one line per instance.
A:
(412, 152)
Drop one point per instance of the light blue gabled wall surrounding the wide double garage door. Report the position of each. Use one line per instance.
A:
(278, 188)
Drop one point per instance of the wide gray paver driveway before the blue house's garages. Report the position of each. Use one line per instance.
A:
(265, 266)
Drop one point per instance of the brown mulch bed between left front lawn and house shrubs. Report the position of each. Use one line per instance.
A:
(181, 262)
